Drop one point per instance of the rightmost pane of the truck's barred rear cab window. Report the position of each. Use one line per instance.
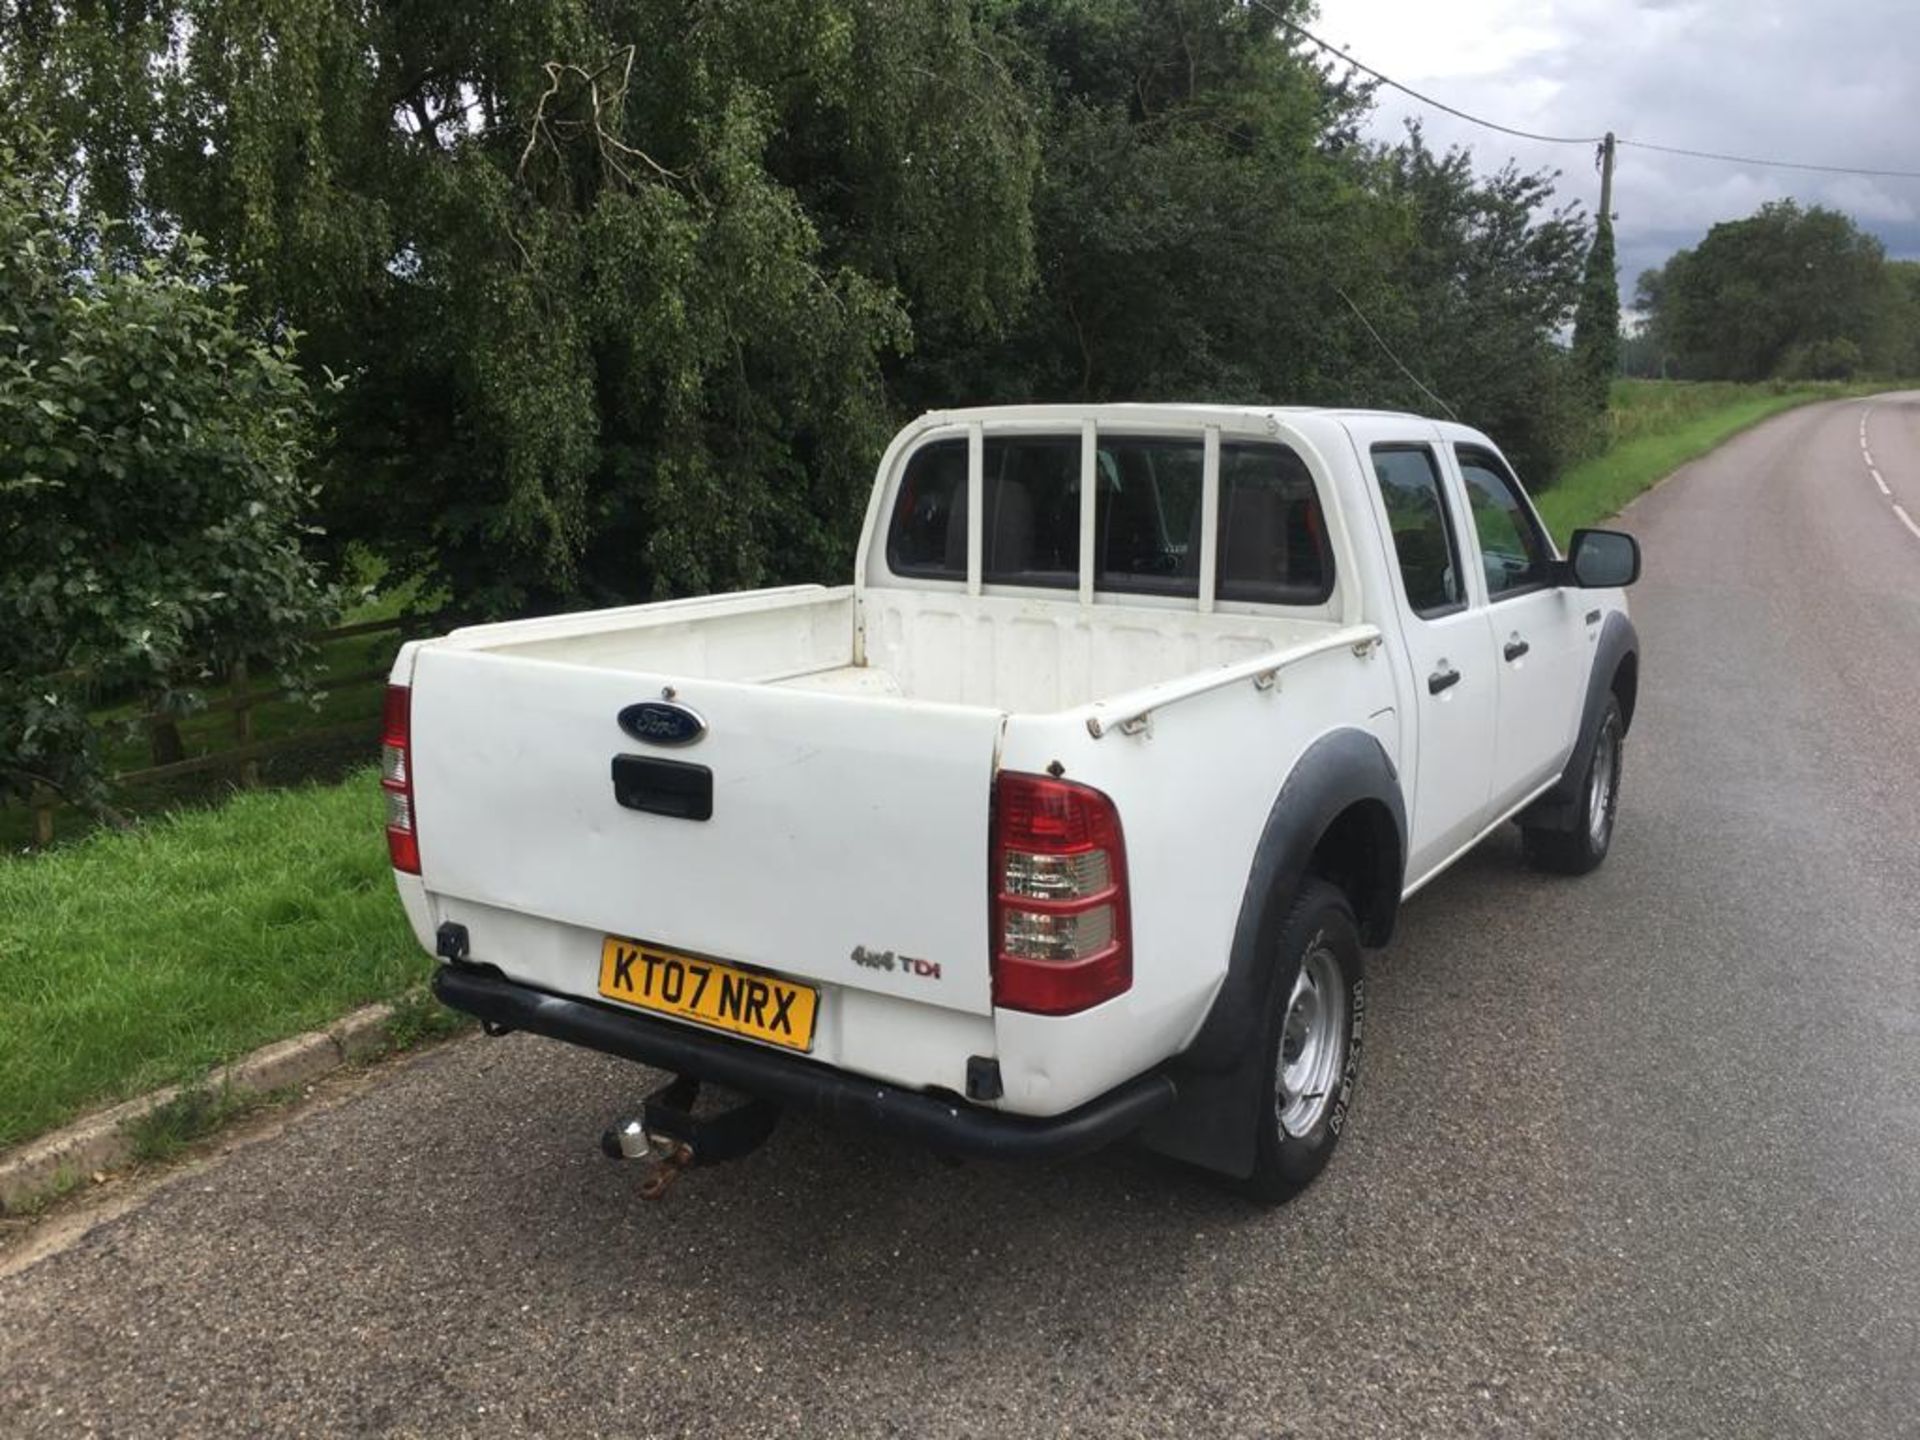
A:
(1272, 533)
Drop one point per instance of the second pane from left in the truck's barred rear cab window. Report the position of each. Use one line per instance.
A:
(1032, 516)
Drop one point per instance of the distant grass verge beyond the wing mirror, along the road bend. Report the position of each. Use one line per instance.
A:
(1660, 425)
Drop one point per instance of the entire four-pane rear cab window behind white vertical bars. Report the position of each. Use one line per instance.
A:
(1272, 542)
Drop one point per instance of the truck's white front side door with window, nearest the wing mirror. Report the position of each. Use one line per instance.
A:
(1535, 629)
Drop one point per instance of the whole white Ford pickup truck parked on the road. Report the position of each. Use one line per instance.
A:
(1065, 823)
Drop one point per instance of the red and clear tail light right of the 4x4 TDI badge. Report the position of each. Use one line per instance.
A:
(1063, 940)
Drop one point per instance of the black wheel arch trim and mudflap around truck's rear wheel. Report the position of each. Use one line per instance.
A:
(1216, 1113)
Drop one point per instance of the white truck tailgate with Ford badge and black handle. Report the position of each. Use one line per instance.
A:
(840, 823)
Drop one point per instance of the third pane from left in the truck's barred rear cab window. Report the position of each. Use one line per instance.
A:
(1147, 516)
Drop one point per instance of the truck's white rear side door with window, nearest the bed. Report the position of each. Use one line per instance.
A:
(1447, 650)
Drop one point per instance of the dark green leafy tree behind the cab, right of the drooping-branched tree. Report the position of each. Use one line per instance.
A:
(1195, 214)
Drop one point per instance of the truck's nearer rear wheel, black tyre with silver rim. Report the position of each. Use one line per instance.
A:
(1316, 1019)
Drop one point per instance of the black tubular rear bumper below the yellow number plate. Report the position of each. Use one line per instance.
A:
(949, 1126)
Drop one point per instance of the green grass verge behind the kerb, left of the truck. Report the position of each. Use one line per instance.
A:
(143, 959)
